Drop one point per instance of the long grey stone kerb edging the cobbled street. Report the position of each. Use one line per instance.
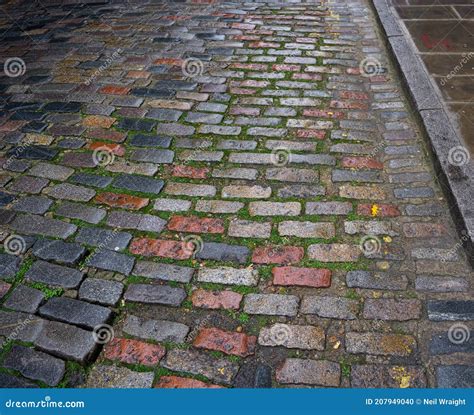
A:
(436, 123)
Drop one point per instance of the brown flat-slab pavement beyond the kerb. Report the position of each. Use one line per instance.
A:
(443, 34)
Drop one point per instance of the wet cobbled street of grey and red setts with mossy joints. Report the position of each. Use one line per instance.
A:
(220, 195)
